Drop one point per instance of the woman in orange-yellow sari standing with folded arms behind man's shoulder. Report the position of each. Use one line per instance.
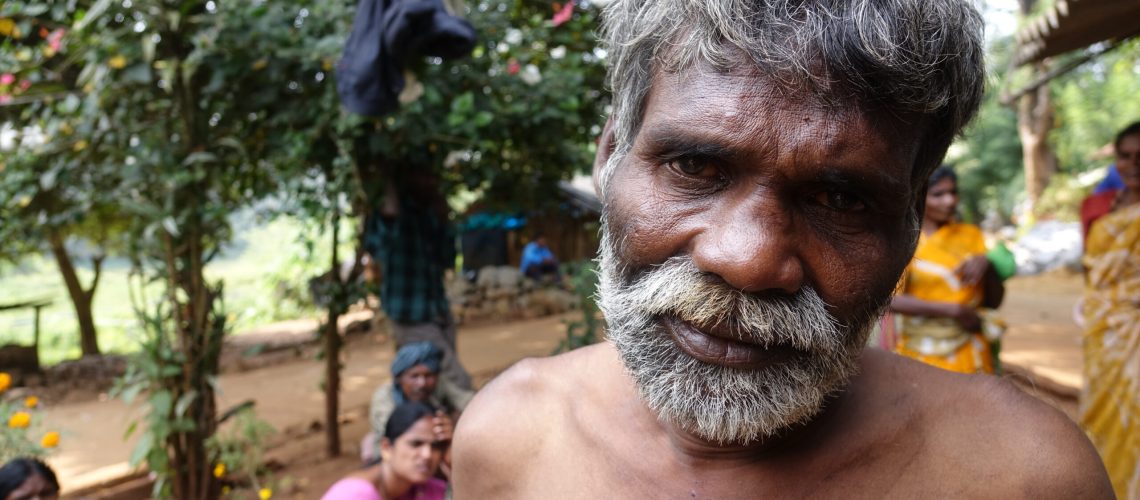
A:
(944, 286)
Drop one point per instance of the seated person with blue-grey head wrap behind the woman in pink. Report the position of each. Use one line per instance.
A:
(416, 378)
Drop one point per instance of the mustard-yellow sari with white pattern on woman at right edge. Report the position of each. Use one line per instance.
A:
(1111, 399)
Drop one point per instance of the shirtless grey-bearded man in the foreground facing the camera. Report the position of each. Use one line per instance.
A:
(763, 177)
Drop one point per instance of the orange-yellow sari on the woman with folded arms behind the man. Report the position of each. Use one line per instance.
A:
(931, 277)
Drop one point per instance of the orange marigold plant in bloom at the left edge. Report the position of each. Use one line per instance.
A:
(20, 427)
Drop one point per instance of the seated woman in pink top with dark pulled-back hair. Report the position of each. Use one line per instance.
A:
(412, 452)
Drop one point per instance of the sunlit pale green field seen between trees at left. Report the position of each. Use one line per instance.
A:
(251, 268)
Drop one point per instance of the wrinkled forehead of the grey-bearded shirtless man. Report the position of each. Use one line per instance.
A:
(745, 109)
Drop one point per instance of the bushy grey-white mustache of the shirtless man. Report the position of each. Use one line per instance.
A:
(678, 289)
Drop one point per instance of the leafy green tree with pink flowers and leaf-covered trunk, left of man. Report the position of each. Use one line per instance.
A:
(181, 113)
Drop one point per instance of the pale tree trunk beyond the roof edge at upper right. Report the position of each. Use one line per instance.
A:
(1035, 121)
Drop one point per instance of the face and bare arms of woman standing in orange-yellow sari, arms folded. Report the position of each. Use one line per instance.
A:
(941, 210)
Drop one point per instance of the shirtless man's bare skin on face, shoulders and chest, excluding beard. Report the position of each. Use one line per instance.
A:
(770, 194)
